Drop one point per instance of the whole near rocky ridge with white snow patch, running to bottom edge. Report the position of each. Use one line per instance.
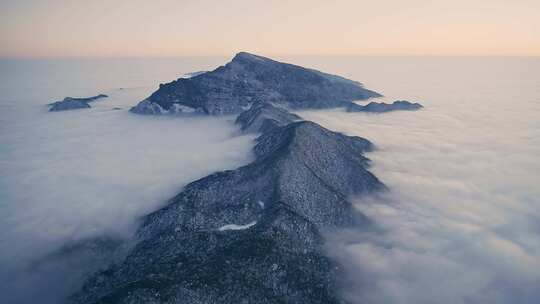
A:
(250, 235)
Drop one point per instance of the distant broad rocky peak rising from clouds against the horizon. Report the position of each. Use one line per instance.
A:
(250, 78)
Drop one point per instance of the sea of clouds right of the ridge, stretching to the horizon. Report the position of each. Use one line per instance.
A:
(461, 220)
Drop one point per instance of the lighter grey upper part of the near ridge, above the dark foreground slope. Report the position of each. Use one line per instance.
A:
(302, 164)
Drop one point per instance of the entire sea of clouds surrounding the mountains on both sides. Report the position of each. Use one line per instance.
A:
(460, 223)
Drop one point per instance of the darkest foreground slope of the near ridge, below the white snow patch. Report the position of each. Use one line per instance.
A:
(277, 260)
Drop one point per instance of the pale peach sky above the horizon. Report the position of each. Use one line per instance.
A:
(168, 28)
